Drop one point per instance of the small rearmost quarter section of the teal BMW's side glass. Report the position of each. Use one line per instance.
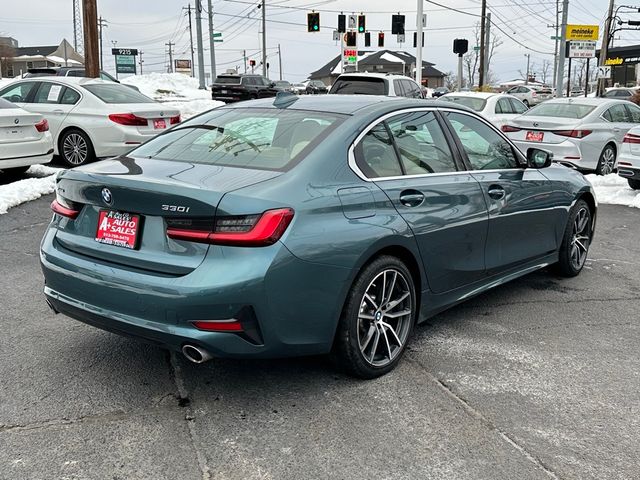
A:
(375, 154)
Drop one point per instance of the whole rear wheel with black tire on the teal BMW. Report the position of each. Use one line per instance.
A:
(387, 330)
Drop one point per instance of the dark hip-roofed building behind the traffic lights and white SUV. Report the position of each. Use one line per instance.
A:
(383, 61)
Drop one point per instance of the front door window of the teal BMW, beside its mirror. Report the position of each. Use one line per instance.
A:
(485, 148)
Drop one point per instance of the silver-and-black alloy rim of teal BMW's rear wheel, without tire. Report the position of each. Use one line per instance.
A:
(384, 319)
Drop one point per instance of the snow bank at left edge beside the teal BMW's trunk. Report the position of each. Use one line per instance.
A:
(42, 183)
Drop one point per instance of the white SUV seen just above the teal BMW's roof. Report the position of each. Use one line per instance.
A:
(375, 84)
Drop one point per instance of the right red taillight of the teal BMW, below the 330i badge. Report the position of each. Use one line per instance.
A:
(243, 230)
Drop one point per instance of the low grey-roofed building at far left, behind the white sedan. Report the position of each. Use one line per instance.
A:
(17, 60)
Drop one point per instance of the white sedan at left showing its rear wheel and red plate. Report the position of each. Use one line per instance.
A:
(91, 118)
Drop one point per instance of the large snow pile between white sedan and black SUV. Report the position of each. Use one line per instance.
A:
(174, 90)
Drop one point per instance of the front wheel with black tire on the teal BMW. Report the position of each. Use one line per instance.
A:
(576, 241)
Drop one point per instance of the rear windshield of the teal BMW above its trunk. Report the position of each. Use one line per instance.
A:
(268, 139)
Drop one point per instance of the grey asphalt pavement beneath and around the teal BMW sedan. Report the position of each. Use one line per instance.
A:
(539, 378)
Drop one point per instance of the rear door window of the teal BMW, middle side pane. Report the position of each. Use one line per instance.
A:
(422, 145)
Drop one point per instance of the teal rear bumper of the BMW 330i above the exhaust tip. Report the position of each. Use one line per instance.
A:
(160, 309)
